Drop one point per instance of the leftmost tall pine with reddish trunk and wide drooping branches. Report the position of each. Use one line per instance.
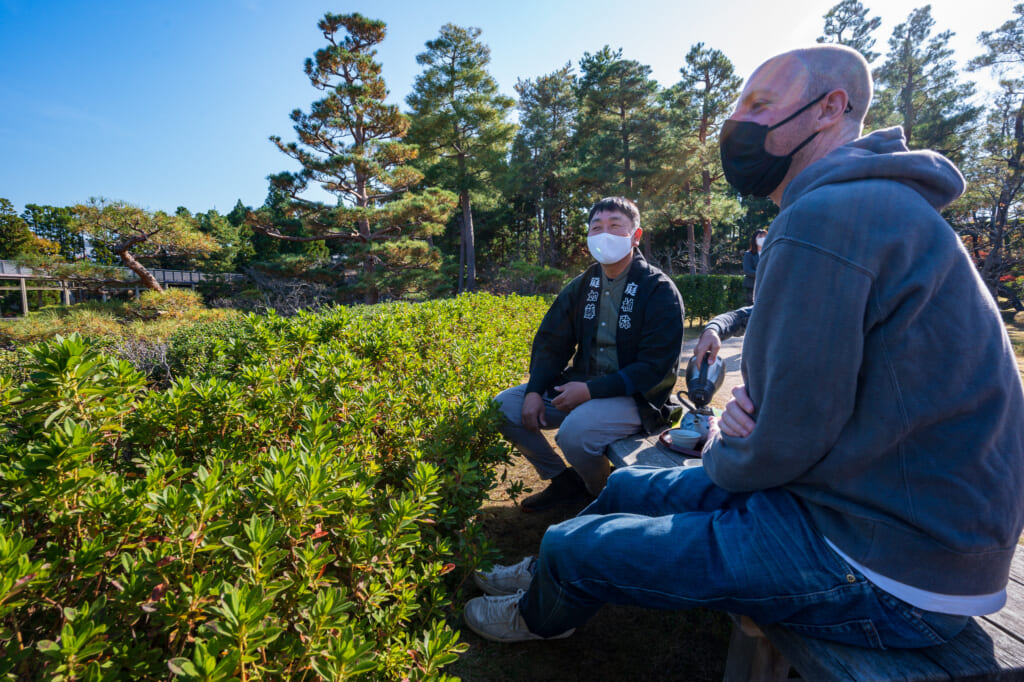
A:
(351, 144)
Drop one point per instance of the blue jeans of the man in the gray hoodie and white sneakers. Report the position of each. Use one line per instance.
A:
(671, 539)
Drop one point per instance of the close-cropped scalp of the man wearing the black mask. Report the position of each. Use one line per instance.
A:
(828, 68)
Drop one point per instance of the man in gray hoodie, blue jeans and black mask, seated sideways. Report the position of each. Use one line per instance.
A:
(865, 487)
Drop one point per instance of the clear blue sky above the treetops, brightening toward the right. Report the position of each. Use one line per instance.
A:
(172, 104)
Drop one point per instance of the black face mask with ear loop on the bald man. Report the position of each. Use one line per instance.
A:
(748, 165)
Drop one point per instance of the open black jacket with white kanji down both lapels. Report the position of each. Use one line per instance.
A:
(649, 342)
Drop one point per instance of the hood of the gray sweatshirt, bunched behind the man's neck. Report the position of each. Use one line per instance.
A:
(882, 155)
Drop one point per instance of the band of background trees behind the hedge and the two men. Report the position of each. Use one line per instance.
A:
(591, 129)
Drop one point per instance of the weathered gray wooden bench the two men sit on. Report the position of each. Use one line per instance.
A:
(990, 649)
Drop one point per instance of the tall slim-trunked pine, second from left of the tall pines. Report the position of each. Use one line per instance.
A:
(459, 123)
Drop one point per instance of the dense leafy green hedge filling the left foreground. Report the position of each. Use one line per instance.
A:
(302, 506)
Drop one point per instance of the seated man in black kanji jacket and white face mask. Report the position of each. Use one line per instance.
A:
(621, 324)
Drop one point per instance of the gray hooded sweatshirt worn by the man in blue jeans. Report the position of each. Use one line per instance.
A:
(888, 397)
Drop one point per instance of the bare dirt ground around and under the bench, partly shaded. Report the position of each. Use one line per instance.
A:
(620, 644)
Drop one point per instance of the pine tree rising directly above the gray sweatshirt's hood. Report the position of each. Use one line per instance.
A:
(917, 88)
